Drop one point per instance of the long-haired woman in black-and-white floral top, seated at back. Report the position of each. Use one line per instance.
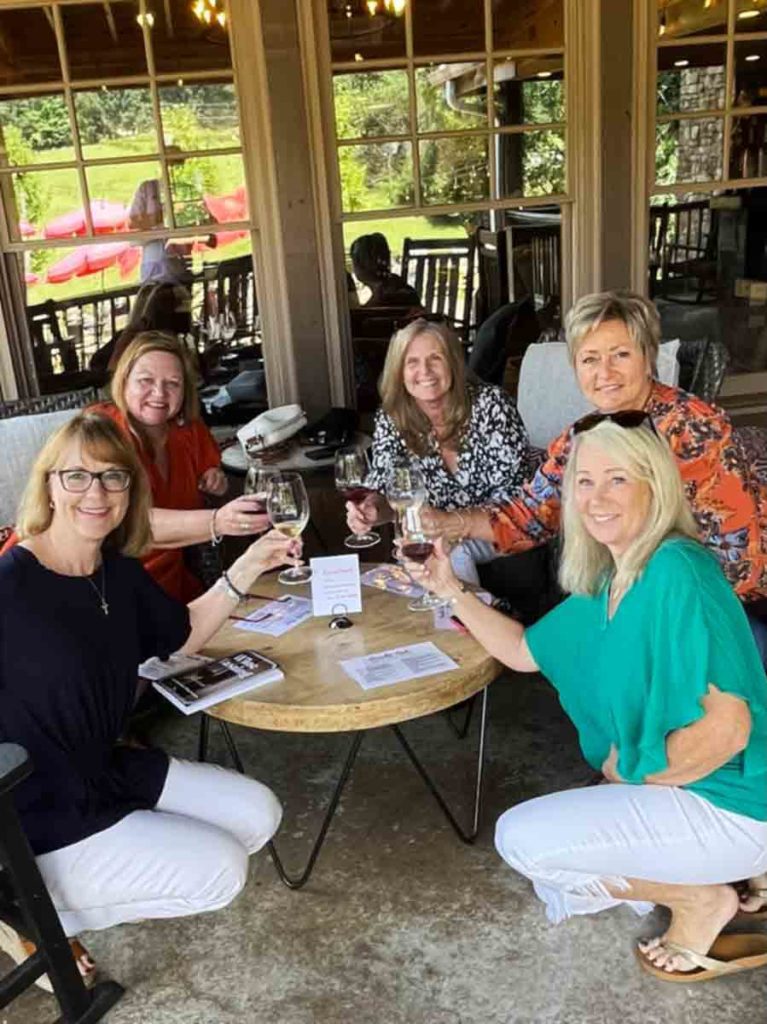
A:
(467, 438)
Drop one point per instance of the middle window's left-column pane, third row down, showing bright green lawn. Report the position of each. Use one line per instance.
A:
(376, 177)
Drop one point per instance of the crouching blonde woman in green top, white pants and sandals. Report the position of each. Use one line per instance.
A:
(655, 662)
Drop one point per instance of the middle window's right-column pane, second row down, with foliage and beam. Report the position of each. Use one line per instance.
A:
(530, 91)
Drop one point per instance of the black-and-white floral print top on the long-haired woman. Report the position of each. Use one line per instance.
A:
(493, 454)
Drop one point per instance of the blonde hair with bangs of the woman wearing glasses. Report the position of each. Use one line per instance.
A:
(104, 442)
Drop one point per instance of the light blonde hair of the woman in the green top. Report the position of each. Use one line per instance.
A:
(587, 565)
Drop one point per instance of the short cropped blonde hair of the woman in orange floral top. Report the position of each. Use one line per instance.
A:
(637, 314)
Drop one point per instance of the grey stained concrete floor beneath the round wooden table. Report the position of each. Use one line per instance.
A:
(402, 923)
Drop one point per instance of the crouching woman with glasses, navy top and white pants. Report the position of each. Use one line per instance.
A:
(113, 827)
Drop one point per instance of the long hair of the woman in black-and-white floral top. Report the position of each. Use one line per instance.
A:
(412, 423)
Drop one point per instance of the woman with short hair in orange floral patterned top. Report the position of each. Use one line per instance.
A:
(614, 339)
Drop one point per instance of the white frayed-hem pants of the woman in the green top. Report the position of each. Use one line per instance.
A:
(571, 844)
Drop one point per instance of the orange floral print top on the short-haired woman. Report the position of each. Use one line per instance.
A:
(728, 499)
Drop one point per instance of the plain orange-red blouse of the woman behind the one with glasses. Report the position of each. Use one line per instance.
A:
(192, 450)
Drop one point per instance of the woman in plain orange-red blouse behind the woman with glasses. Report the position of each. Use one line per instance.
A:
(155, 403)
